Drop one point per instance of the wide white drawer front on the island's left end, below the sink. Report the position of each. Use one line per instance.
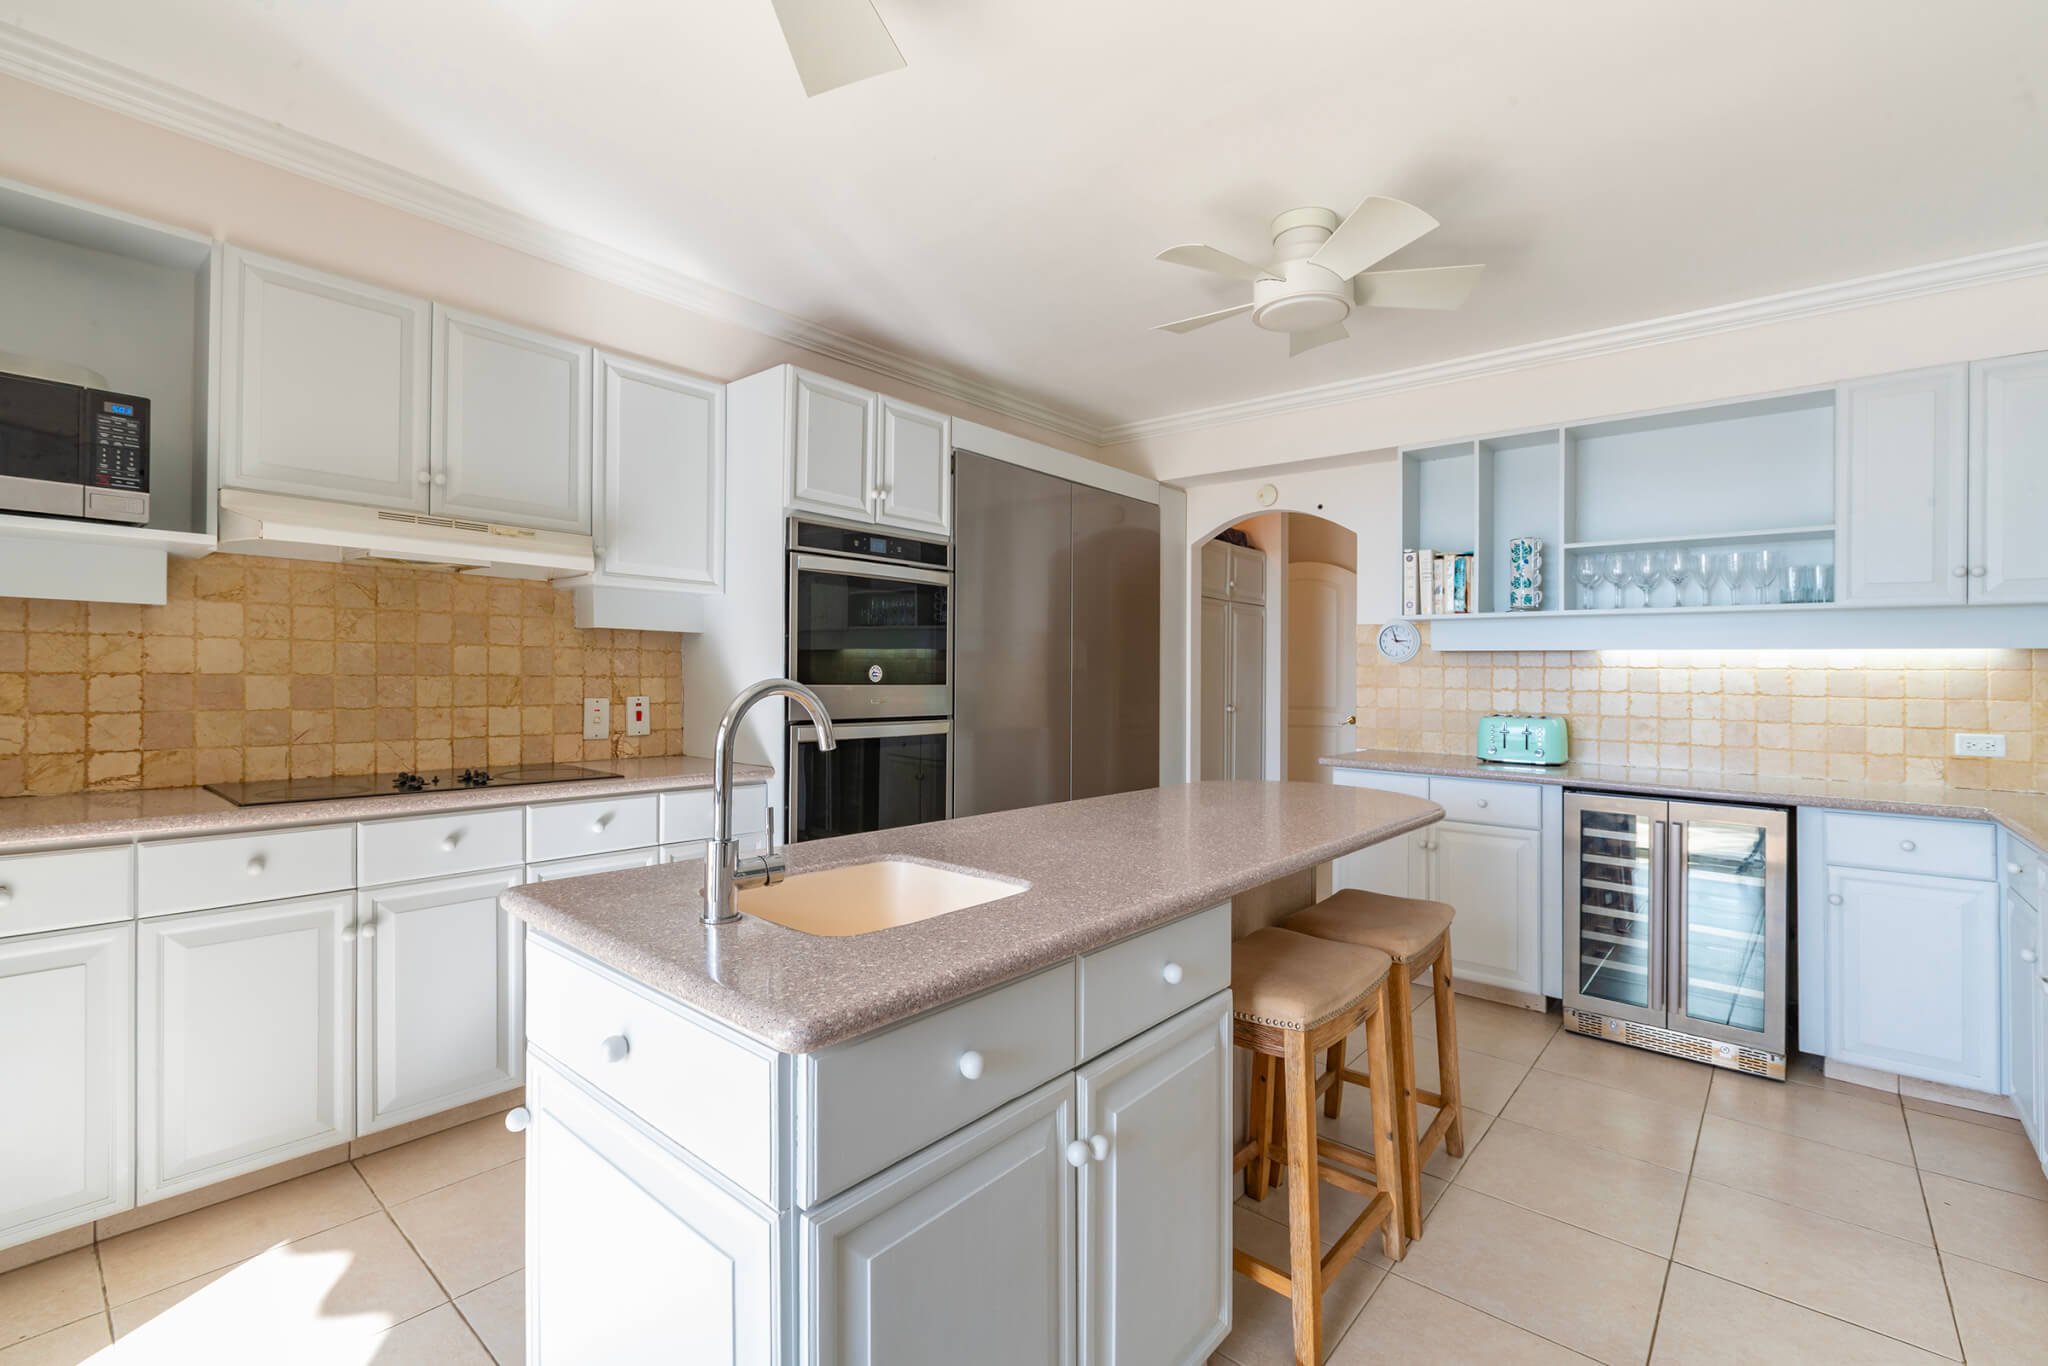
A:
(669, 1066)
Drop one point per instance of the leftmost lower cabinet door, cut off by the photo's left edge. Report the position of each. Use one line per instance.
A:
(69, 1076)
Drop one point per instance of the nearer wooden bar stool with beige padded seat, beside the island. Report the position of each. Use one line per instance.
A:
(1293, 998)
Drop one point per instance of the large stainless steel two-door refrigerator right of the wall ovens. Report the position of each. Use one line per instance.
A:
(1056, 636)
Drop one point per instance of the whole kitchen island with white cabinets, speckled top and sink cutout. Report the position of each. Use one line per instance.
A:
(992, 1136)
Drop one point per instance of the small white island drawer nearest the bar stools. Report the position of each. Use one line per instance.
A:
(1134, 986)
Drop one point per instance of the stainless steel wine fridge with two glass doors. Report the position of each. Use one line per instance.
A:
(1676, 929)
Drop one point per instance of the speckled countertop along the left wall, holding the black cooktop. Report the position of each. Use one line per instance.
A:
(159, 814)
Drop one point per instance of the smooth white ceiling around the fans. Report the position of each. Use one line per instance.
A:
(996, 206)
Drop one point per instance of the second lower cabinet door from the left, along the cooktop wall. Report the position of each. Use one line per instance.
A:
(245, 1045)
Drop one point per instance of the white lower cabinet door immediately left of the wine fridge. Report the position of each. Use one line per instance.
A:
(1492, 876)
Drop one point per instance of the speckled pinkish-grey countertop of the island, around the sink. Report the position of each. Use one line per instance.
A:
(1097, 871)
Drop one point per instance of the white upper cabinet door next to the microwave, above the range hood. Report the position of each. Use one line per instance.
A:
(325, 386)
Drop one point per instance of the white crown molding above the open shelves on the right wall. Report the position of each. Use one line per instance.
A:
(1865, 292)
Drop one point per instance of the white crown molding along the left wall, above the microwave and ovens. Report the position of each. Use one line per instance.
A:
(91, 79)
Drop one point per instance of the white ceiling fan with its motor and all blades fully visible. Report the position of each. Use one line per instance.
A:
(1322, 271)
